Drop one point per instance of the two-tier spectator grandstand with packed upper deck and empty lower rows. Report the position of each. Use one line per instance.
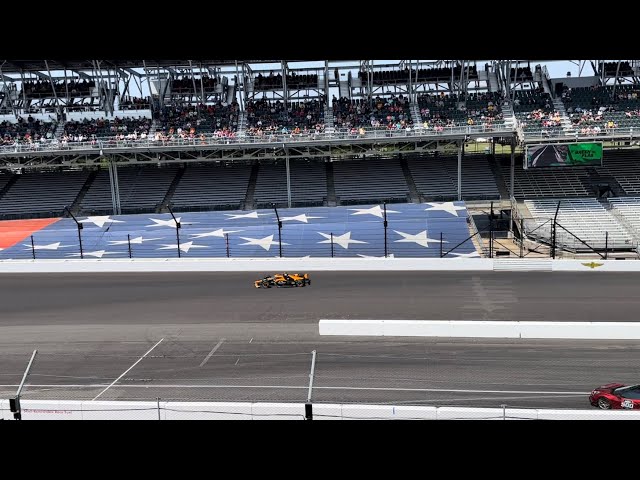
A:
(218, 139)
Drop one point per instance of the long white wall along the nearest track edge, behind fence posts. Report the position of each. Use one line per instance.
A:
(87, 410)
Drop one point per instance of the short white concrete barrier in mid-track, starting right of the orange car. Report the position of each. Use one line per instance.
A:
(481, 329)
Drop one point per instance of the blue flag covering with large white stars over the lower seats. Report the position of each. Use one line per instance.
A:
(413, 232)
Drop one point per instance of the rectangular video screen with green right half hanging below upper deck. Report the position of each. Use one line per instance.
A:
(586, 154)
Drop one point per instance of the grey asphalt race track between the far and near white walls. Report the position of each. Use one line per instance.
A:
(213, 337)
